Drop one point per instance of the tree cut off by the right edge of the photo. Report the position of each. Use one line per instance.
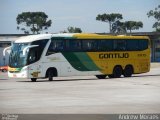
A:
(156, 14)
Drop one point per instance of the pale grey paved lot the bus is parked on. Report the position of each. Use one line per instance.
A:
(82, 95)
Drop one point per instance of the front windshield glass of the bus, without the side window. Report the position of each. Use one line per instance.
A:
(16, 58)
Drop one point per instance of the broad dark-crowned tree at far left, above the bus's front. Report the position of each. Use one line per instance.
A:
(36, 21)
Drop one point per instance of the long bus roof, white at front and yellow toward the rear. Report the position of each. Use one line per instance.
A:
(32, 38)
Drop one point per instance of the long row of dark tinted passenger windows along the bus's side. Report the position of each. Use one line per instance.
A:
(82, 45)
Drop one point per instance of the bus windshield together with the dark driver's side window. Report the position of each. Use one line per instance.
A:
(17, 59)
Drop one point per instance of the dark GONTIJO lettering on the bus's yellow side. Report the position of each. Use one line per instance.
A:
(113, 55)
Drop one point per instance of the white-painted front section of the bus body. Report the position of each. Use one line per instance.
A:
(57, 62)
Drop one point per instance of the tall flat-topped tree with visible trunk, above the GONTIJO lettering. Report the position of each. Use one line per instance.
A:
(109, 18)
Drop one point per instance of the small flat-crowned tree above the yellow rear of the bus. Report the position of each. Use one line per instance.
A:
(133, 25)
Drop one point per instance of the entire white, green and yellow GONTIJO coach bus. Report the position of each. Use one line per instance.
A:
(53, 55)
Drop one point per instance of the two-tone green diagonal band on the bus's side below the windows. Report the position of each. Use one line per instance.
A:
(80, 61)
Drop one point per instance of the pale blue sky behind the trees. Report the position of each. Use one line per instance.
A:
(77, 13)
